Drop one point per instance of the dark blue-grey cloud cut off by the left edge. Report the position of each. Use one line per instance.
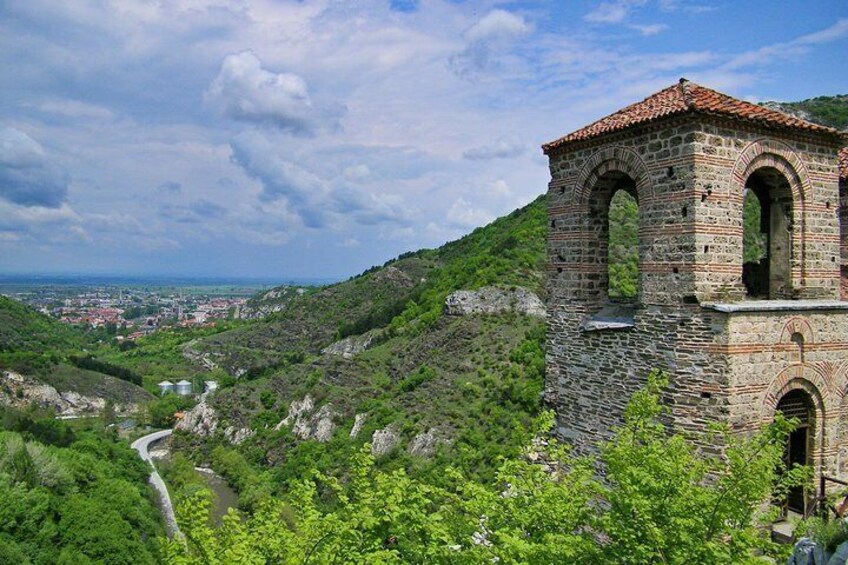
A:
(26, 176)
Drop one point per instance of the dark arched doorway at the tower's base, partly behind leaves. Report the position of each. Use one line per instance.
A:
(797, 404)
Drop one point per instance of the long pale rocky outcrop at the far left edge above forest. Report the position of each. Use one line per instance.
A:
(21, 391)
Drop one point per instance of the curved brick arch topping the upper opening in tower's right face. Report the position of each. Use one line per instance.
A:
(770, 153)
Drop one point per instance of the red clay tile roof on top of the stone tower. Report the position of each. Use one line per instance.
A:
(687, 97)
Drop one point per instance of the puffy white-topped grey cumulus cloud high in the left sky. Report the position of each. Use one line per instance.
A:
(247, 92)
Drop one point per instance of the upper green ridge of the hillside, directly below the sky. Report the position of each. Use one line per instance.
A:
(403, 293)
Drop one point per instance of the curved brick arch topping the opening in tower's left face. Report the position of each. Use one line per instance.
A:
(613, 159)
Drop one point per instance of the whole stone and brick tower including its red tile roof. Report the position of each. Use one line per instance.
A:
(739, 342)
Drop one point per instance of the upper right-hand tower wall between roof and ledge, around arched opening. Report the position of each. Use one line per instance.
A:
(724, 158)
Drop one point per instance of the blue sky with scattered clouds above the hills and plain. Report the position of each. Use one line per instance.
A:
(316, 138)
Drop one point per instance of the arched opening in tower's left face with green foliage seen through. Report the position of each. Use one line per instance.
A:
(614, 224)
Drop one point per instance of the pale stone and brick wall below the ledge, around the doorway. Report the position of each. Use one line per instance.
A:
(766, 362)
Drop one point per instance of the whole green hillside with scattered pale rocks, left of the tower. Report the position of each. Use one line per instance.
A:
(378, 359)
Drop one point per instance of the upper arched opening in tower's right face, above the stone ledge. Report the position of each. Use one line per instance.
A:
(767, 235)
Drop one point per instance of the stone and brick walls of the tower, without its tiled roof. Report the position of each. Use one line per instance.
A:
(688, 176)
